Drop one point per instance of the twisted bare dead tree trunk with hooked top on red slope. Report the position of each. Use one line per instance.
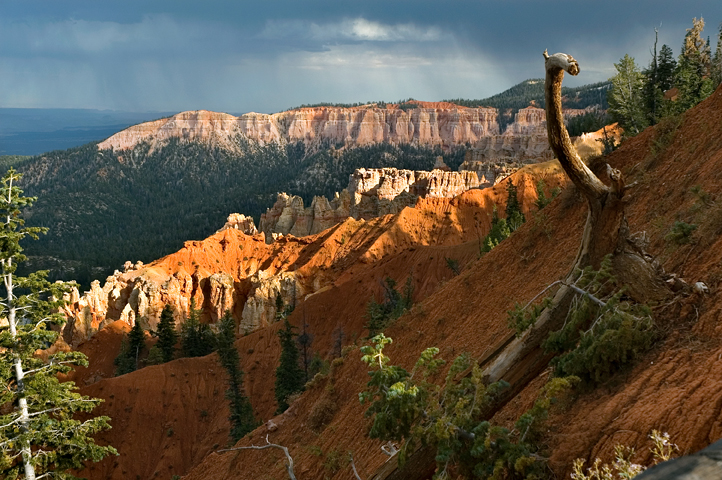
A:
(518, 360)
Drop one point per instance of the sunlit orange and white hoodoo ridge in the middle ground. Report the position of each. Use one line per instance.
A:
(235, 271)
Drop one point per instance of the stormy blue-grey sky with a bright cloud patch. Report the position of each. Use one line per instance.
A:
(266, 56)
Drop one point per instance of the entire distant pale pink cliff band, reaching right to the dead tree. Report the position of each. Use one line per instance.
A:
(432, 124)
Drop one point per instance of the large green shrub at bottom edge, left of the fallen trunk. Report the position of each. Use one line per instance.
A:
(451, 418)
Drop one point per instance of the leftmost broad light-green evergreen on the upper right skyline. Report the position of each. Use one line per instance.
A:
(626, 100)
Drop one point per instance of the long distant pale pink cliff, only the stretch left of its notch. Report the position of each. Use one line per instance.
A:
(448, 126)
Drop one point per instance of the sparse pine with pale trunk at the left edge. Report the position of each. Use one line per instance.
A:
(39, 435)
